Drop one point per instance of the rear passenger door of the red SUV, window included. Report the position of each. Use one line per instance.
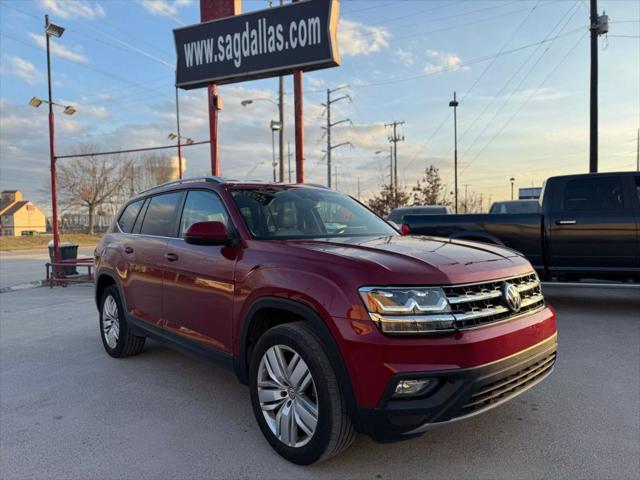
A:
(146, 250)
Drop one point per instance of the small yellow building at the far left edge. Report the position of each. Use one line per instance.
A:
(18, 215)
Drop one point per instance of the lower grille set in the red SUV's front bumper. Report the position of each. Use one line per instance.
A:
(510, 386)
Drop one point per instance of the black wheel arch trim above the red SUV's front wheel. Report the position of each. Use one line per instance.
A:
(293, 311)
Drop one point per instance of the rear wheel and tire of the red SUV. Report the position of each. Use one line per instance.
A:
(116, 335)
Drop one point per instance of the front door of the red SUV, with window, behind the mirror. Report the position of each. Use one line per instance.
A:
(199, 279)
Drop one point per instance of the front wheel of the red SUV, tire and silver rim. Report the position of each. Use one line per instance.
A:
(296, 397)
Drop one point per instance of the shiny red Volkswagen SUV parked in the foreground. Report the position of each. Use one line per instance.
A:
(337, 322)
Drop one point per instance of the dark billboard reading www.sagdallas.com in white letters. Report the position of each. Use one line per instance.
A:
(265, 43)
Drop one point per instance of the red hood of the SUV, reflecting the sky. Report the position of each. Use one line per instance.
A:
(408, 255)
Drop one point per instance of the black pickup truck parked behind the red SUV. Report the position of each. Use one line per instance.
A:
(589, 227)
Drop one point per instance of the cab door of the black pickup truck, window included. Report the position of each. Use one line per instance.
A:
(592, 227)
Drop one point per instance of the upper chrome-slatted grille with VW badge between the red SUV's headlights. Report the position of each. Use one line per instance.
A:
(481, 303)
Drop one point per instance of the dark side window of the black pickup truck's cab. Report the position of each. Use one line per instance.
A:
(603, 193)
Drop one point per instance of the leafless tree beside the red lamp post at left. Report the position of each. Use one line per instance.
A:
(92, 181)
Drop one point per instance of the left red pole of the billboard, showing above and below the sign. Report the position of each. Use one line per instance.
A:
(210, 10)
